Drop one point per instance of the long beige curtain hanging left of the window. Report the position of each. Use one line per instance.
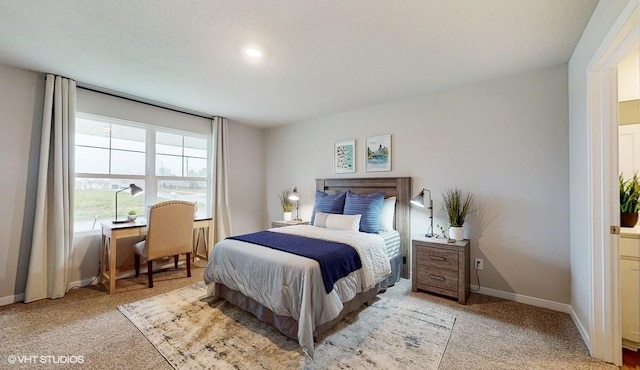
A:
(52, 239)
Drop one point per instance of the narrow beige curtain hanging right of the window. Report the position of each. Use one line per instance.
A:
(220, 198)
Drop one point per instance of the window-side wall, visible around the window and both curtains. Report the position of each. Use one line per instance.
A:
(21, 96)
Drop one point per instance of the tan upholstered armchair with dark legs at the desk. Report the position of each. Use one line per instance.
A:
(169, 233)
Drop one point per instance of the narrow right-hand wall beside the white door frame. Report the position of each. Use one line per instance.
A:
(601, 21)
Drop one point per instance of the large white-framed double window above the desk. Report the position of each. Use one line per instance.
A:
(111, 154)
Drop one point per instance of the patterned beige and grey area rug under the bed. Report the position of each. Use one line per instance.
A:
(395, 332)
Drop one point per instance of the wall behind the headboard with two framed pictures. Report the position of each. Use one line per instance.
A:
(505, 140)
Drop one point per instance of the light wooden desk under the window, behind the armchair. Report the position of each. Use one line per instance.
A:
(112, 232)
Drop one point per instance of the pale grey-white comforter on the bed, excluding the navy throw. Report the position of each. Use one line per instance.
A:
(291, 285)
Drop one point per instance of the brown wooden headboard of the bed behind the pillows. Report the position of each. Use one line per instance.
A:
(399, 187)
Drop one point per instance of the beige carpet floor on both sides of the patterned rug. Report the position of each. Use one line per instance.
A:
(489, 333)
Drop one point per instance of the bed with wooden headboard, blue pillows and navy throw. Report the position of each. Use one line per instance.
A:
(288, 290)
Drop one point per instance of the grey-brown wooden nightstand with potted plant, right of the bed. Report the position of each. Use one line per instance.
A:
(440, 267)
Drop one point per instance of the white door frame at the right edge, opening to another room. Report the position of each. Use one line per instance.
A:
(604, 207)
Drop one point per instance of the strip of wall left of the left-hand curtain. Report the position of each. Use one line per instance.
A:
(21, 97)
